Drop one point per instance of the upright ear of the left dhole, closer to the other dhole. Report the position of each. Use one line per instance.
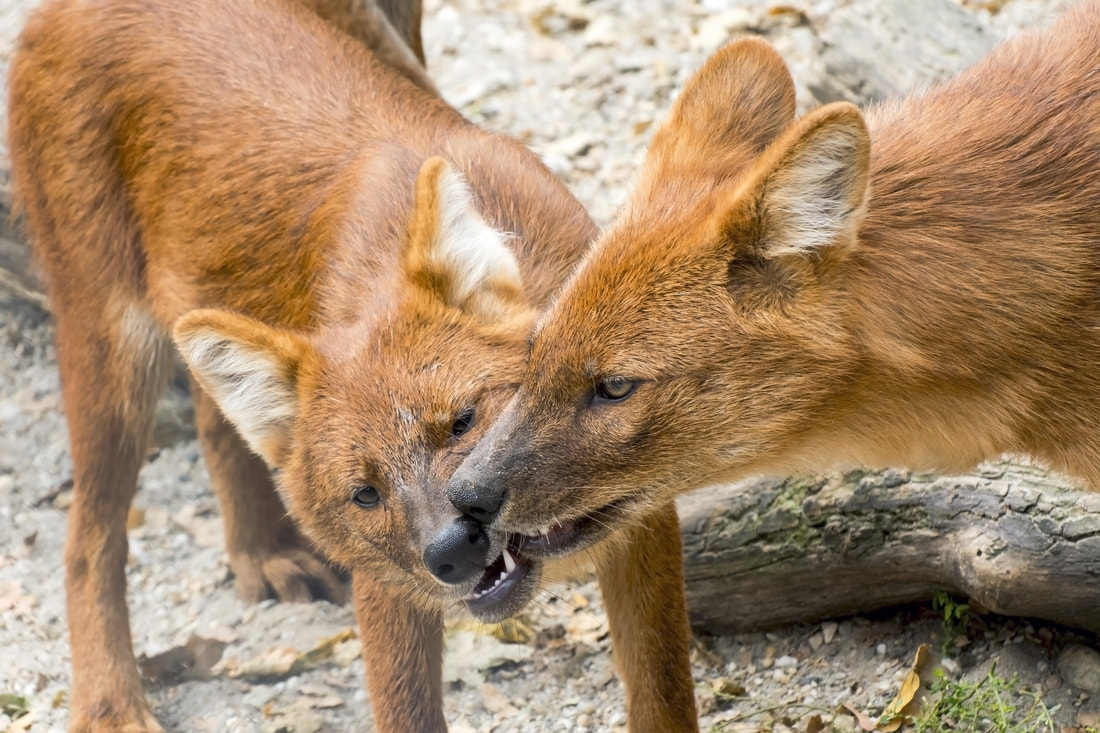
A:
(455, 255)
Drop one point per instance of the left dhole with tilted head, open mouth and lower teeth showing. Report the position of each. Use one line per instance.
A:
(322, 237)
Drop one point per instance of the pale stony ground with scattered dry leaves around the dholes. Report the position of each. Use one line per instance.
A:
(582, 83)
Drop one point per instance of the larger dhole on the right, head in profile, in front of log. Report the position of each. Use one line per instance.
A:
(920, 288)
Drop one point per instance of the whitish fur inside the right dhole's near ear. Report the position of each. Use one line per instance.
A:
(817, 193)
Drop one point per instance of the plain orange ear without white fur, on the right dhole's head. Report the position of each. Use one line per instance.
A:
(741, 101)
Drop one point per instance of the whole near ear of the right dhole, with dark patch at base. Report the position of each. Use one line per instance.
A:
(799, 209)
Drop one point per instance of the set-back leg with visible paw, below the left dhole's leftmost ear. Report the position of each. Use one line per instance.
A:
(269, 555)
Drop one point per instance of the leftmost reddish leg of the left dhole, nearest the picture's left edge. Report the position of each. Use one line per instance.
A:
(113, 366)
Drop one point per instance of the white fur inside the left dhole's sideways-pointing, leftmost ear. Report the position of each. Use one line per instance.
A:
(254, 387)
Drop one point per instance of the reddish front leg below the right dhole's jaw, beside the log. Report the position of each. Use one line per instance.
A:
(643, 584)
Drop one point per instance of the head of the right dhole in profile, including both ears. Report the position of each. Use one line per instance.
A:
(703, 330)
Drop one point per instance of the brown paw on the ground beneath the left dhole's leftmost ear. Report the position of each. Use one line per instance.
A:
(289, 573)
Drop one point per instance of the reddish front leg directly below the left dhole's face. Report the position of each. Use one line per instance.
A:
(403, 650)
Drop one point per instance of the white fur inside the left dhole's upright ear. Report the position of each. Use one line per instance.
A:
(466, 246)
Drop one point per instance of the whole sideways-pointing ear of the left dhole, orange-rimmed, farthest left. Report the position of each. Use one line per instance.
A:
(251, 371)
